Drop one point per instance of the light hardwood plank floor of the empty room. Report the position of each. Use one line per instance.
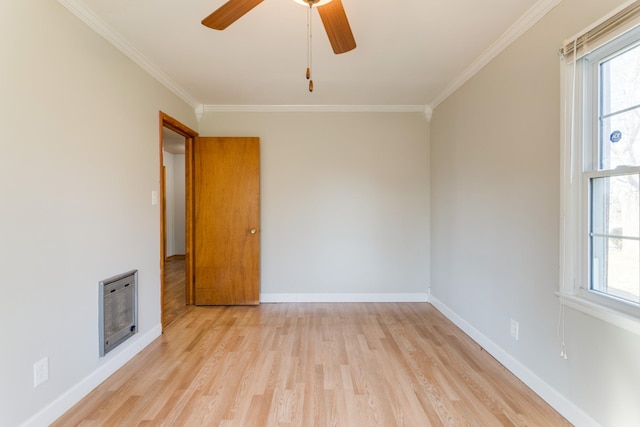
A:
(353, 364)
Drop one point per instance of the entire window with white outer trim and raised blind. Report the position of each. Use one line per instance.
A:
(601, 168)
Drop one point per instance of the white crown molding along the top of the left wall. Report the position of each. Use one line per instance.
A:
(88, 16)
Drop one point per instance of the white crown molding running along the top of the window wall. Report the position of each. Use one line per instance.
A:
(526, 21)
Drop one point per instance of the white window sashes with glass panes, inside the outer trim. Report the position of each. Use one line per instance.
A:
(612, 165)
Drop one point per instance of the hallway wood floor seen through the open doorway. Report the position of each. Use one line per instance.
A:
(174, 303)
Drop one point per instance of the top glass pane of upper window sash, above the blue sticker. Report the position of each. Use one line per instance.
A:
(620, 88)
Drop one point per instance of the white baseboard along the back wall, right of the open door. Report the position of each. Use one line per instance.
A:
(384, 297)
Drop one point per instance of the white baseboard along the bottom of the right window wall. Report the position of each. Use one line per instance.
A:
(571, 412)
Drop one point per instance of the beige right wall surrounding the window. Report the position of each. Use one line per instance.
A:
(495, 180)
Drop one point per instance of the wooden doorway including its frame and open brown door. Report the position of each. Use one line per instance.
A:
(222, 215)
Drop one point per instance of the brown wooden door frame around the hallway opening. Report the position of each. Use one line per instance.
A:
(189, 134)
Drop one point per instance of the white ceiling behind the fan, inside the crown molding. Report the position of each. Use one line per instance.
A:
(409, 52)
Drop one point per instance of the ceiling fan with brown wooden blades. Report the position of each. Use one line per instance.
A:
(331, 12)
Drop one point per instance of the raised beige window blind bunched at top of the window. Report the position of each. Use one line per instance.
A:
(617, 23)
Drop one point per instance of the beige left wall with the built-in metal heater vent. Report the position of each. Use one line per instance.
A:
(79, 159)
